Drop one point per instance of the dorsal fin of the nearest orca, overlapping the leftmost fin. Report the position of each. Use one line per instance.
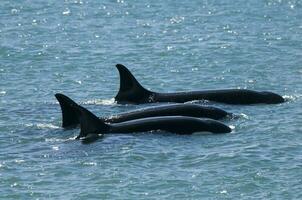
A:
(90, 124)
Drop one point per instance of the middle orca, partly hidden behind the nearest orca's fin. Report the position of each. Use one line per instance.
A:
(70, 118)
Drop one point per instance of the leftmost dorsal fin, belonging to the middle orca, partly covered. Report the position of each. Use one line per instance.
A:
(69, 114)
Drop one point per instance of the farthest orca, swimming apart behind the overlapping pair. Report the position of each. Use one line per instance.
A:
(131, 91)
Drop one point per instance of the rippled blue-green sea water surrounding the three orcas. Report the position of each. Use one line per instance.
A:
(72, 47)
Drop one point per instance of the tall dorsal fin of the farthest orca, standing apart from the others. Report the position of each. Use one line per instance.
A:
(130, 89)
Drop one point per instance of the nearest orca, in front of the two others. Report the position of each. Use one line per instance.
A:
(92, 127)
